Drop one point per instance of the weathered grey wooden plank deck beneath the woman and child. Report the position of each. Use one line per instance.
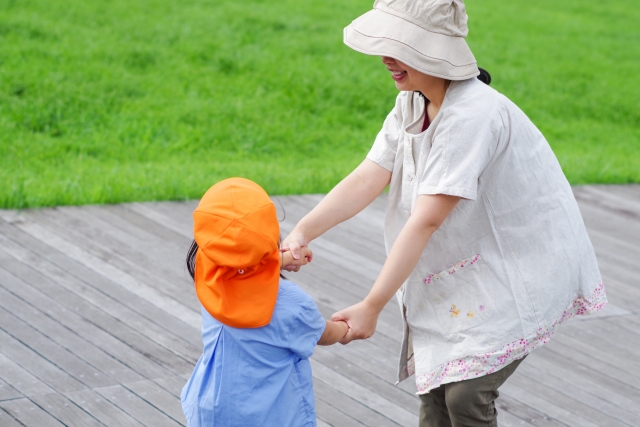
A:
(99, 325)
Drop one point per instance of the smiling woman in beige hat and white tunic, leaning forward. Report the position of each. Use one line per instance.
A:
(487, 251)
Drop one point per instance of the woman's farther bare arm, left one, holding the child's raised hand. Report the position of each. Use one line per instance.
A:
(349, 197)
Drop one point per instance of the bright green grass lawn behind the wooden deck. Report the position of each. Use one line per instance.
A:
(112, 101)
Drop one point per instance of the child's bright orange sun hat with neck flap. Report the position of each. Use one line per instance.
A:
(238, 261)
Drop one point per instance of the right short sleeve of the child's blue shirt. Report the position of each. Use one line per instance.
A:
(306, 328)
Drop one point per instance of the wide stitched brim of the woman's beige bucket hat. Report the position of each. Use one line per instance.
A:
(382, 34)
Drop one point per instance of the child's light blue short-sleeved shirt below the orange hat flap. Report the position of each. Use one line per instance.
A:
(261, 376)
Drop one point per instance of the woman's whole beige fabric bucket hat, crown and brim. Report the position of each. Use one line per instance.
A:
(427, 35)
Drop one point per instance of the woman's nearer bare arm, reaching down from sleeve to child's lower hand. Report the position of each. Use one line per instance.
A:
(428, 214)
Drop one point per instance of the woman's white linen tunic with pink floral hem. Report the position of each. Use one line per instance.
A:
(513, 259)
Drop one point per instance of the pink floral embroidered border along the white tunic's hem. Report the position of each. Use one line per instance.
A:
(483, 364)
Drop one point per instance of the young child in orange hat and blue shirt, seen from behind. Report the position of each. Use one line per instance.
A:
(258, 329)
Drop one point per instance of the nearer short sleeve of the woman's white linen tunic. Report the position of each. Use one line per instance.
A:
(462, 148)
